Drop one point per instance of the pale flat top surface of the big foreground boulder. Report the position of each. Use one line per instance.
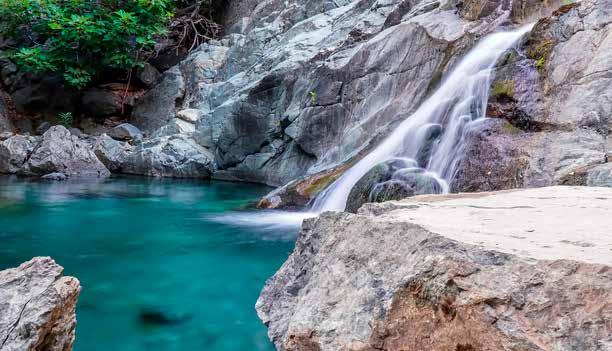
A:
(551, 223)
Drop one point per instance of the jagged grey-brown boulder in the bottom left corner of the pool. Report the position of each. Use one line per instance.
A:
(37, 307)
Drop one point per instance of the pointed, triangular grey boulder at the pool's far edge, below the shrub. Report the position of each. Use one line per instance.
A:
(60, 151)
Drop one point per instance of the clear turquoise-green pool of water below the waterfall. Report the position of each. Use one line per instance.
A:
(149, 245)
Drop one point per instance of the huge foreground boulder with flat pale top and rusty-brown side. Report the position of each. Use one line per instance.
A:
(519, 270)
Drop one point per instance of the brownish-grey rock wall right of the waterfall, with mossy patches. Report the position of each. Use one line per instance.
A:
(554, 97)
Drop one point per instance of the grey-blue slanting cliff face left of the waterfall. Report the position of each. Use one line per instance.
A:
(297, 87)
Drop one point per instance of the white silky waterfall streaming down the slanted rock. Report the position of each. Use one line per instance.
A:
(457, 105)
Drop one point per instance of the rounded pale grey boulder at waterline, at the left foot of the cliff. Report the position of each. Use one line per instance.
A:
(175, 156)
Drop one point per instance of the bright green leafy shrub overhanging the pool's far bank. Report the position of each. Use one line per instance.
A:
(81, 38)
